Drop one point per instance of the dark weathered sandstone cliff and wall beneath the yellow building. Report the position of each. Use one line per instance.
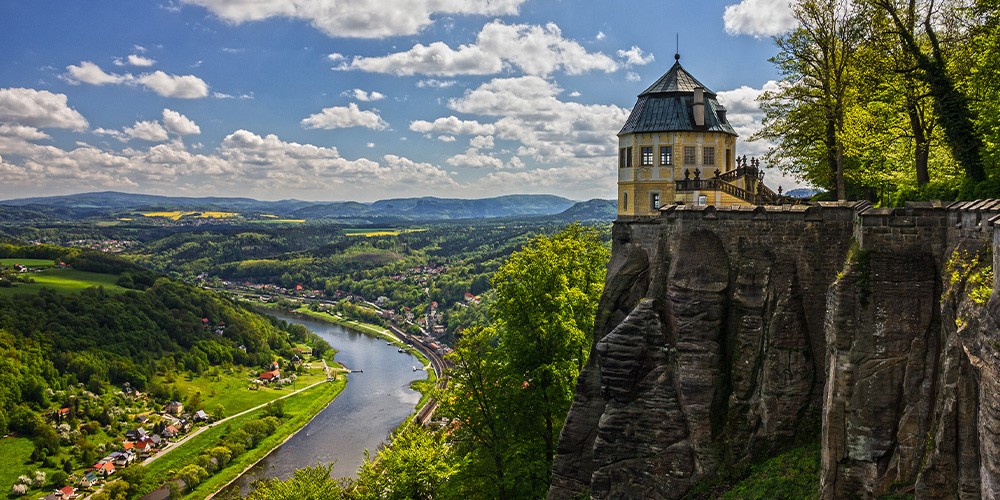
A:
(725, 337)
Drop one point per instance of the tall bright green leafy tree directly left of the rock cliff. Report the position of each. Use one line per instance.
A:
(514, 380)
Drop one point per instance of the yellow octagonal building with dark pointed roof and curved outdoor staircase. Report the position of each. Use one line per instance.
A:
(678, 147)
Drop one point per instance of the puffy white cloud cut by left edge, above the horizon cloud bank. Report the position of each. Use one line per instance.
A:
(38, 108)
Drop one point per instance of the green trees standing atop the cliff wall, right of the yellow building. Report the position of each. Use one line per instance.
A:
(888, 101)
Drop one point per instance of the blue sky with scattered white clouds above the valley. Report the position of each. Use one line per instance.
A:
(361, 100)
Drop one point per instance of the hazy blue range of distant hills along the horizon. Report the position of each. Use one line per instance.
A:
(79, 206)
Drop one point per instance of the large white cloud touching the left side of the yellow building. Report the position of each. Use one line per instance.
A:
(529, 112)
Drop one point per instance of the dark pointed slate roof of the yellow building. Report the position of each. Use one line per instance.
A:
(666, 106)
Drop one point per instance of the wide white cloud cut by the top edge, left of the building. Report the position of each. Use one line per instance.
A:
(358, 18)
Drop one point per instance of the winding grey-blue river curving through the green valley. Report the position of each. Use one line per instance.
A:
(371, 405)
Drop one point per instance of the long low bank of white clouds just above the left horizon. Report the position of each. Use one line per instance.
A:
(263, 166)
